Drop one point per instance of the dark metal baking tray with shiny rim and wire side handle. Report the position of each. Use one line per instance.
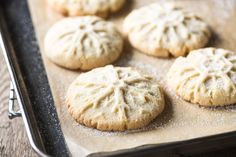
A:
(30, 85)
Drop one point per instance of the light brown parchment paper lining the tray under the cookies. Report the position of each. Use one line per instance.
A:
(180, 120)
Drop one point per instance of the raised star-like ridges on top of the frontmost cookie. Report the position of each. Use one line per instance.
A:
(117, 85)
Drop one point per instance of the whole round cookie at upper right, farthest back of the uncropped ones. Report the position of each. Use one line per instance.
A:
(162, 30)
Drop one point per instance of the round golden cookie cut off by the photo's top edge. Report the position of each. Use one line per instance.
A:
(86, 7)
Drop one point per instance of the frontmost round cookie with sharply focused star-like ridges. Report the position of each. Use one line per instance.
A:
(114, 99)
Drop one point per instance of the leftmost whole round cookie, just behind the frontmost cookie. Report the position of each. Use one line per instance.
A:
(83, 43)
